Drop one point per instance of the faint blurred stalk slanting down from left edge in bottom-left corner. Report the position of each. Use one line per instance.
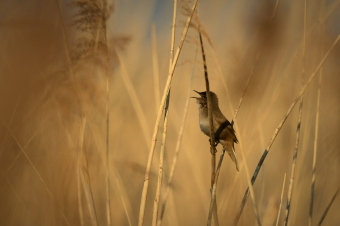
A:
(37, 173)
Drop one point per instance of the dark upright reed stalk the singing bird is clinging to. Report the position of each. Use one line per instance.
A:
(213, 204)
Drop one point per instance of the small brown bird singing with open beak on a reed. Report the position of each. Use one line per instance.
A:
(223, 129)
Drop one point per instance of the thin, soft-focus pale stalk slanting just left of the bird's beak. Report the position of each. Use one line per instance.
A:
(178, 144)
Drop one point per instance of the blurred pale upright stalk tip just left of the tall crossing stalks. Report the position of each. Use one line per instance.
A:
(155, 68)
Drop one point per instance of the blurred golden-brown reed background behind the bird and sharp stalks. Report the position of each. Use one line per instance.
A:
(67, 65)
